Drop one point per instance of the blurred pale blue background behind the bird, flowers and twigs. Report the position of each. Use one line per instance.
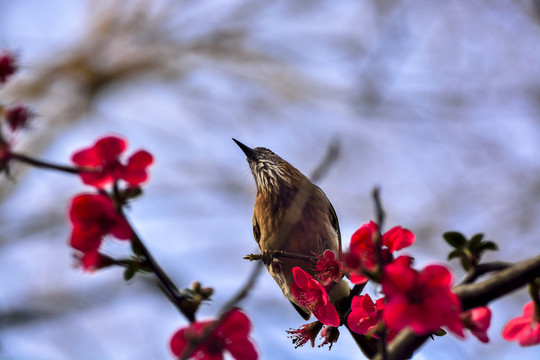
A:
(436, 102)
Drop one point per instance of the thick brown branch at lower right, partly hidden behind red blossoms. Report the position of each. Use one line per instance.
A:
(472, 295)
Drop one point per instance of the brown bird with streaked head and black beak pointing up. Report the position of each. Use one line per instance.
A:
(293, 215)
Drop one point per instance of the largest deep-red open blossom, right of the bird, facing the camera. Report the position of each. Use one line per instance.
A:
(422, 300)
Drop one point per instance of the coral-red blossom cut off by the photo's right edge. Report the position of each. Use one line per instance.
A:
(525, 329)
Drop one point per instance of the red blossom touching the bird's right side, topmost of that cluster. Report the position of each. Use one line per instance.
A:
(362, 254)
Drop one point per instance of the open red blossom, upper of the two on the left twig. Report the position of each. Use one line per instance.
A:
(103, 159)
